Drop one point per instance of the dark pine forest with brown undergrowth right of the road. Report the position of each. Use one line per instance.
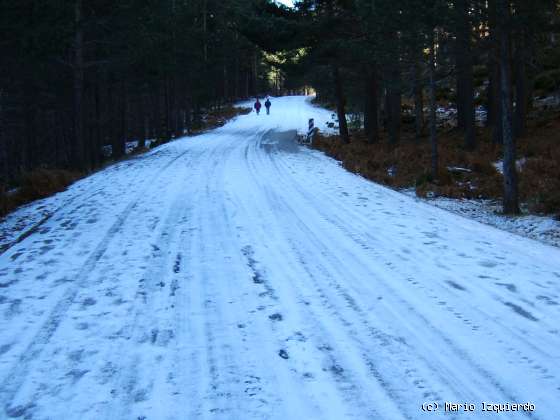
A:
(396, 66)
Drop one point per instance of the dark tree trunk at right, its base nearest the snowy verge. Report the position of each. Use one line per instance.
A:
(510, 202)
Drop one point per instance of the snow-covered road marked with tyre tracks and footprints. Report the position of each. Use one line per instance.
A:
(236, 275)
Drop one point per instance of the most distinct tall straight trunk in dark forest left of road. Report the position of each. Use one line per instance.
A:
(79, 146)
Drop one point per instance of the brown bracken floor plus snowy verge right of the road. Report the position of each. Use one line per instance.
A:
(470, 182)
